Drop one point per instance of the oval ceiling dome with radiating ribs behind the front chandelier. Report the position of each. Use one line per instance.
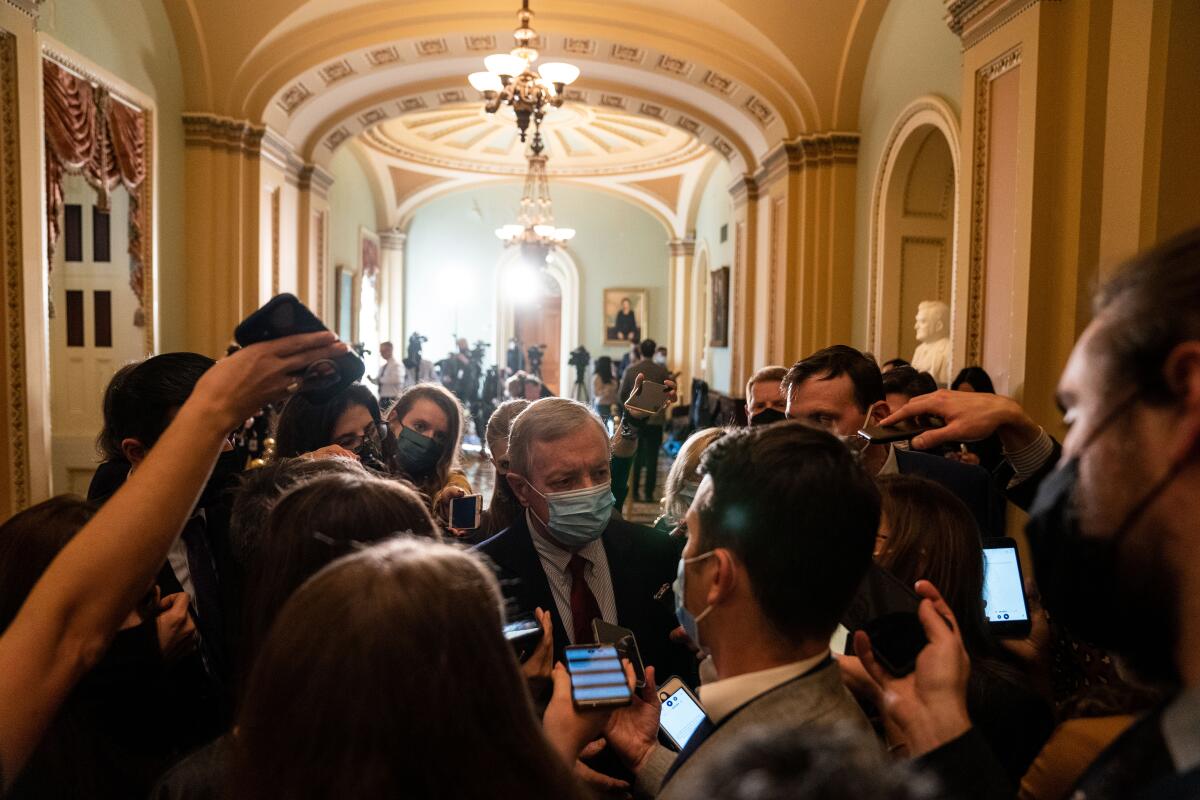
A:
(580, 141)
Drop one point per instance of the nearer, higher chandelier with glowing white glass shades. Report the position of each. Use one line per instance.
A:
(512, 80)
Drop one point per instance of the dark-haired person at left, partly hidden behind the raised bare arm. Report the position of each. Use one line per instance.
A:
(140, 404)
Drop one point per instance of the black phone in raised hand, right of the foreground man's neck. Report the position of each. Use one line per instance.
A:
(886, 609)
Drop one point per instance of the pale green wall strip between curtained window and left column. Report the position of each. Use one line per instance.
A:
(137, 46)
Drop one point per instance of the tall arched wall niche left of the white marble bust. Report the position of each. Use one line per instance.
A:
(914, 226)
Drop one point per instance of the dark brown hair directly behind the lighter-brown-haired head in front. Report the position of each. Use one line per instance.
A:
(316, 524)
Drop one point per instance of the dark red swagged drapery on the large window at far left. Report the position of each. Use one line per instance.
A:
(88, 133)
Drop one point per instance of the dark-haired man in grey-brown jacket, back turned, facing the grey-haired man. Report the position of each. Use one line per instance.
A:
(779, 539)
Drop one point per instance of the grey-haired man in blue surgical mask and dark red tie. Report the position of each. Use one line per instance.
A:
(568, 554)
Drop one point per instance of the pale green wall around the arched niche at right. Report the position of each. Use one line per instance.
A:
(915, 55)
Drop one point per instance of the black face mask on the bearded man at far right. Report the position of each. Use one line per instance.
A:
(1120, 603)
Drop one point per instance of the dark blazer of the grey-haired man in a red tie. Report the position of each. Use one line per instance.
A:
(641, 562)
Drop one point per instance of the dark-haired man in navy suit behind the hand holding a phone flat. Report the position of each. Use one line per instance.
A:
(842, 390)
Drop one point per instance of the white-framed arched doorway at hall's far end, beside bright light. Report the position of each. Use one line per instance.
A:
(541, 306)
